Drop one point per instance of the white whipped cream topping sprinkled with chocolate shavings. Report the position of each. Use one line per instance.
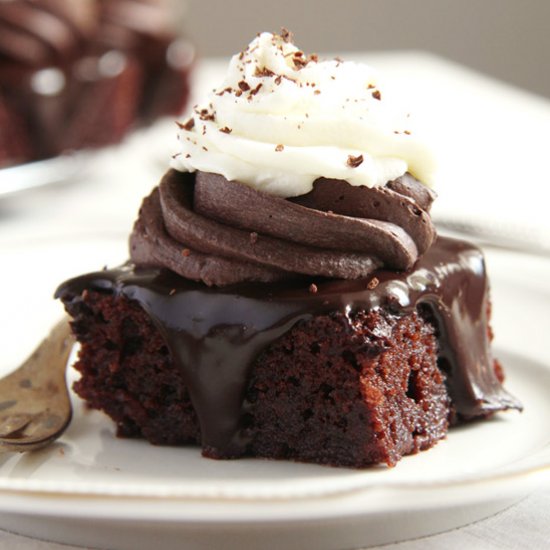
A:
(282, 119)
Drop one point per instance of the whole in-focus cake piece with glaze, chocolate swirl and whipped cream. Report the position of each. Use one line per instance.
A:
(328, 324)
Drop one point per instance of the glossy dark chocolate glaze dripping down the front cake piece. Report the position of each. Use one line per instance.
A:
(215, 334)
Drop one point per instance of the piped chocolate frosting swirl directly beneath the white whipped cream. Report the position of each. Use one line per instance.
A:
(206, 228)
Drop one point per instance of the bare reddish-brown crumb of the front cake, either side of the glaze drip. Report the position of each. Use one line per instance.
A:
(335, 389)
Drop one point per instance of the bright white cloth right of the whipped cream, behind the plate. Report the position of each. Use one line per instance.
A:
(493, 145)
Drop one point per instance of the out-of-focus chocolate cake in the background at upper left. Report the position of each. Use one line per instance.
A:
(75, 75)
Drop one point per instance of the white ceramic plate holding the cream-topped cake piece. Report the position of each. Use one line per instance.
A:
(130, 489)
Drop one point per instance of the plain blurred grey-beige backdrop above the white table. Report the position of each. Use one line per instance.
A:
(507, 39)
